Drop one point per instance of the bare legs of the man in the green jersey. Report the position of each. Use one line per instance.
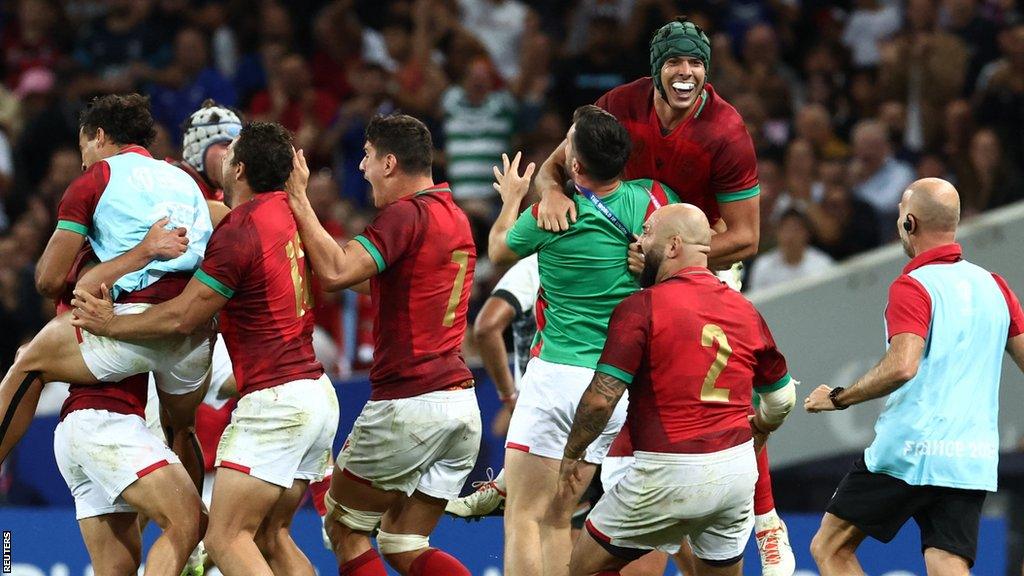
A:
(538, 540)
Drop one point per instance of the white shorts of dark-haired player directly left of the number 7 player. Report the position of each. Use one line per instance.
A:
(282, 434)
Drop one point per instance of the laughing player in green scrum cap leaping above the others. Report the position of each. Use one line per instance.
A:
(688, 137)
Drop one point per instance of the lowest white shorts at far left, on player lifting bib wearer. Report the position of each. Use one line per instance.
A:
(102, 454)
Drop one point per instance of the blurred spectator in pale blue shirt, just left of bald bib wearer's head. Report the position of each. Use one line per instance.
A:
(880, 179)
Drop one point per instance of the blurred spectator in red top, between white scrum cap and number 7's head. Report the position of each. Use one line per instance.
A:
(292, 101)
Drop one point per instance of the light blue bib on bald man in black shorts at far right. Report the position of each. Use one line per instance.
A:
(941, 428)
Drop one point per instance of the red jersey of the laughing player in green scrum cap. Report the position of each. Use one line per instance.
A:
(708, 159)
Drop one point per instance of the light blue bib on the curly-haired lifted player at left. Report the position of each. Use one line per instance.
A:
(142, 191)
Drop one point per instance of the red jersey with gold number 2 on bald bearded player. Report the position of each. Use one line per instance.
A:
(695, 351)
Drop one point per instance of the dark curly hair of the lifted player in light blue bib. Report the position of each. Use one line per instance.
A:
(125, 119)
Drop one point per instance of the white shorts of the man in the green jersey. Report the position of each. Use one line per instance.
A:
(549, 396)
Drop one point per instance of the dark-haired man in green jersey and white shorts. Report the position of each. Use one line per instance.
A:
(583, 277)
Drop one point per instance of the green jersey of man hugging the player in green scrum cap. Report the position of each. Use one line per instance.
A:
(584, 272)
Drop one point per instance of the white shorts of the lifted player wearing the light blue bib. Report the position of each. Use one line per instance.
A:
(180, 363)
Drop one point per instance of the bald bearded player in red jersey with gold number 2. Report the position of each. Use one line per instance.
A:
(692, 352)
